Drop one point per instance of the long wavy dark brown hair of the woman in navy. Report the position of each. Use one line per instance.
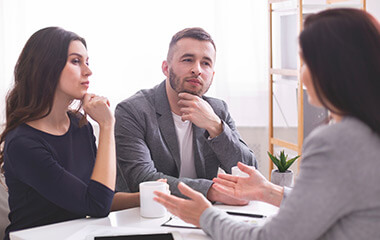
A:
(36, 76)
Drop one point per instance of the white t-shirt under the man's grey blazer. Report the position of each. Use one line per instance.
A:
(184, 131)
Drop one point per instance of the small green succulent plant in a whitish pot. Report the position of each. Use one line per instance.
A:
(282, 176)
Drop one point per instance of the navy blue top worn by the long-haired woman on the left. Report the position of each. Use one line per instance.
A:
(48, 176)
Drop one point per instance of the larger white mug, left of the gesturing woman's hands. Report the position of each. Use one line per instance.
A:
(148, 207)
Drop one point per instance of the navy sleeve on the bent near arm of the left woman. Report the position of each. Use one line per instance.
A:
(32, 162)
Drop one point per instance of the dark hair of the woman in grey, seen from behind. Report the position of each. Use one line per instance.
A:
(341, 47)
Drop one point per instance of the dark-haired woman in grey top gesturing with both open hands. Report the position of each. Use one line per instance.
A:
(337, 194)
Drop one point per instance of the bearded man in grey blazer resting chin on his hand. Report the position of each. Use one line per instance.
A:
(173, 131)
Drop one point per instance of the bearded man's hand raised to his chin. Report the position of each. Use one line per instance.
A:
(199, 112)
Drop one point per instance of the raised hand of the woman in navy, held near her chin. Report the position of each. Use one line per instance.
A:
(97, 108)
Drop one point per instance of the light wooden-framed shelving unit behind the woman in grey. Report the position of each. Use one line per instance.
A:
(298, 8)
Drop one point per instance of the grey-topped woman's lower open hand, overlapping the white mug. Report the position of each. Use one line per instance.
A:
(189, 210)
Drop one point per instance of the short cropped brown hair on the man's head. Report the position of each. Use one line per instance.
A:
(194, 33)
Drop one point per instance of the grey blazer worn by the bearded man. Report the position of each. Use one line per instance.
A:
(147, 148)
